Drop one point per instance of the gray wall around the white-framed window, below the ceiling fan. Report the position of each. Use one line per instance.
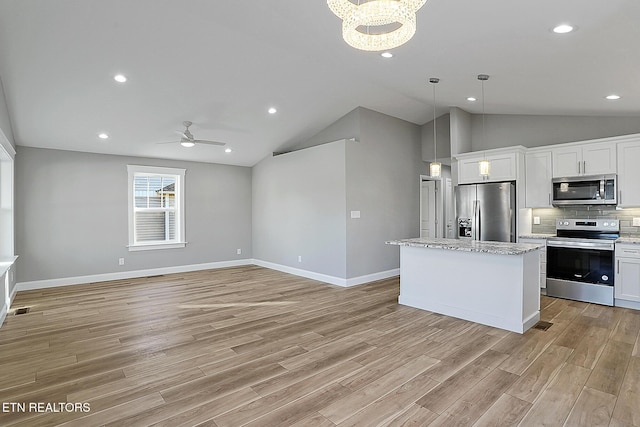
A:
(71, 214)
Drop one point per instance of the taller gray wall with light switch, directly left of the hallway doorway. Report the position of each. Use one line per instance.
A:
(383, 183)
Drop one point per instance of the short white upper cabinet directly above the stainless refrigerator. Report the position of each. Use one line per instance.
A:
(502, 167)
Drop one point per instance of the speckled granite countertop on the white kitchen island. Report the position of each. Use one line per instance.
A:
(498, 248)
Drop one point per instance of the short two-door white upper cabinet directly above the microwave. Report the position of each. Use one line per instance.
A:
(586, 159)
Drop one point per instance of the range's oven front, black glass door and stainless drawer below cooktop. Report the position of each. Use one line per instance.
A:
(581, 270)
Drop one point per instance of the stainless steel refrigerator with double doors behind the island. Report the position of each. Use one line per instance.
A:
(486, 211)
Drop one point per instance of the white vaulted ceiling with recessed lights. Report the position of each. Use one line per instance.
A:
(221, 64)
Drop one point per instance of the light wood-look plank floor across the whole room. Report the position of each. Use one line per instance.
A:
(252, 346)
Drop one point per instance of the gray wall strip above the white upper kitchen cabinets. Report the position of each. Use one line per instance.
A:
(503, 130)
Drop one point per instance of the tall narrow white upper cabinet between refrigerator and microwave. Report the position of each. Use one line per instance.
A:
(538, 174)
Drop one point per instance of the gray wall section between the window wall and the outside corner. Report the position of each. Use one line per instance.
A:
(299, 209)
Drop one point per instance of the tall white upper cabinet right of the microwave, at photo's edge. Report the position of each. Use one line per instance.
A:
(629, 174)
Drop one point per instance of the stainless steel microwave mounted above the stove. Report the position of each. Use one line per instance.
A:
(585, 190)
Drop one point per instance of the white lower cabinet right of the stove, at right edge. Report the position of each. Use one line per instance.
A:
(627, 278)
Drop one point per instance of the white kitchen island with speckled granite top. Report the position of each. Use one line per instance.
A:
(492, 283)
